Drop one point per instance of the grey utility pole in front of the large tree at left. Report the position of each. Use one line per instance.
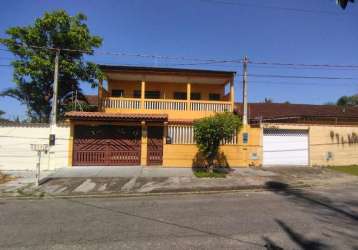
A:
(53, 115)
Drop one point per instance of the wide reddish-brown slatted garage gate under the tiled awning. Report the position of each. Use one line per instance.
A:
(106, 145)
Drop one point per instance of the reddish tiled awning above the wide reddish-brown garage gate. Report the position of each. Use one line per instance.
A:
(101, 116)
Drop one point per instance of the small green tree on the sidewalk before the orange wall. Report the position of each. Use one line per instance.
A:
(209, 132)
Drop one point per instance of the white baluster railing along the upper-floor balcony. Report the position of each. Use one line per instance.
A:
(165, 104)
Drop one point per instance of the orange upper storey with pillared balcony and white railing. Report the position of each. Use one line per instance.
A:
(182, 94)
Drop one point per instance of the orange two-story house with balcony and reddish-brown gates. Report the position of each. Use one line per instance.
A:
(145, 117)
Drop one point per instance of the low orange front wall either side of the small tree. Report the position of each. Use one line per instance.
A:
(240, 155)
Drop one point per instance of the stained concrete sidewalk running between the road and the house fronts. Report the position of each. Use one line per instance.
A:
(84, 181)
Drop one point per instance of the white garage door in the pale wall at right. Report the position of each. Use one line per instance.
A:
(285, 147)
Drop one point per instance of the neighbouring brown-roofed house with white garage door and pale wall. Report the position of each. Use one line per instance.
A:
(301, 134)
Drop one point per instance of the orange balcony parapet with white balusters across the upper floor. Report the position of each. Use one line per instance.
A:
(176, 109)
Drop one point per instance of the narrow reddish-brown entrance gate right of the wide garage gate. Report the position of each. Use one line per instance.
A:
(155, 146)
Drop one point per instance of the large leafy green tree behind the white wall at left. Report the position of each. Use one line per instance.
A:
(34, 65)
